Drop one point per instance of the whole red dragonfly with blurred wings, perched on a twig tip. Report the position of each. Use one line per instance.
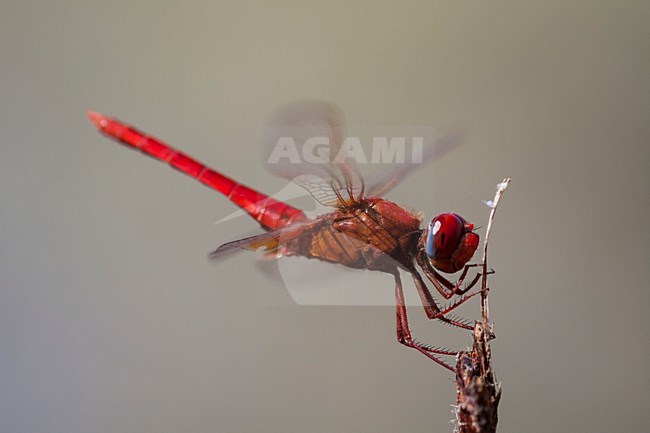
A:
(362, 231)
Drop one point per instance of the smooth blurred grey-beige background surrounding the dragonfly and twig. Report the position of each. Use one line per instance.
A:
(111, 317)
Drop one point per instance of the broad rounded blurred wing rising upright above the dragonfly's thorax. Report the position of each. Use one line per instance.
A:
(305, 144)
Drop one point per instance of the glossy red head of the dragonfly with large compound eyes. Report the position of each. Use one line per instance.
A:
(449, 242)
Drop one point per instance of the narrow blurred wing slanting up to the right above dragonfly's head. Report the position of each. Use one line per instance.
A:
(384, 182)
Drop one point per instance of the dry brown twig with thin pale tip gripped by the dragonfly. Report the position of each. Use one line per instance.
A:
(477, 392)
